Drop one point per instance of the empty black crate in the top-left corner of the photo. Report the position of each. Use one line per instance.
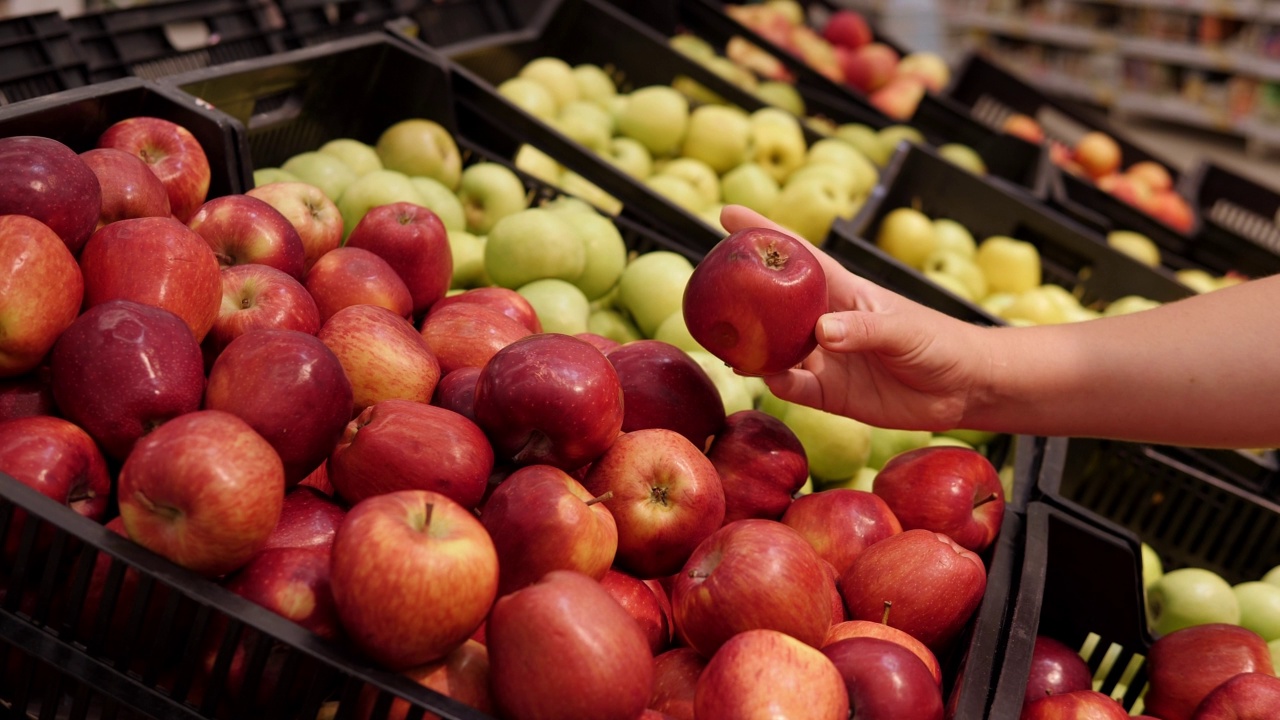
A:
(39, 57)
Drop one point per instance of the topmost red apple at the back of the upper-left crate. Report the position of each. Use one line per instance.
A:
(172, 153)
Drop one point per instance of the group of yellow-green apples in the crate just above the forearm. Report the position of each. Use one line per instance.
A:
(1003, 275)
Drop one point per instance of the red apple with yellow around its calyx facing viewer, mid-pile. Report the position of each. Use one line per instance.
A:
(668, 499)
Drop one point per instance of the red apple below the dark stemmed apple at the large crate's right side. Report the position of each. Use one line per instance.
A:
(934, 584)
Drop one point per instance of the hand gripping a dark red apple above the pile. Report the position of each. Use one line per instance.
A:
(881, 358)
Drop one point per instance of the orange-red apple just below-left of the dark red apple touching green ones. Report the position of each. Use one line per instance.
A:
(350, 276)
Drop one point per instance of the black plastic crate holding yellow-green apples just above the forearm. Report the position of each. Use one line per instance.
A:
(1071, 256)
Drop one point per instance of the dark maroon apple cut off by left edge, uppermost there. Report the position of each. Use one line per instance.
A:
(47, 181)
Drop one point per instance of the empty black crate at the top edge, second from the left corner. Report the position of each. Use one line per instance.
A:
(163, 39)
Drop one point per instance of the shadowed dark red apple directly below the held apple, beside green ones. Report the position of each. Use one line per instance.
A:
(761, 464)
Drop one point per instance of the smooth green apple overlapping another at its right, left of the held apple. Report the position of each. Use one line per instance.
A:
(533, 245)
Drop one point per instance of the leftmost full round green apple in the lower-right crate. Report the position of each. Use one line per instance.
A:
(1191, 596)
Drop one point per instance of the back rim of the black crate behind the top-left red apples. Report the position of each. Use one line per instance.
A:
(79, 117)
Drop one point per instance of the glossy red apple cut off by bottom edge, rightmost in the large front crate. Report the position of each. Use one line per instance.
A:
(885, 681)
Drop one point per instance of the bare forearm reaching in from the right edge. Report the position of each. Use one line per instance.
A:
(1201, 372)
